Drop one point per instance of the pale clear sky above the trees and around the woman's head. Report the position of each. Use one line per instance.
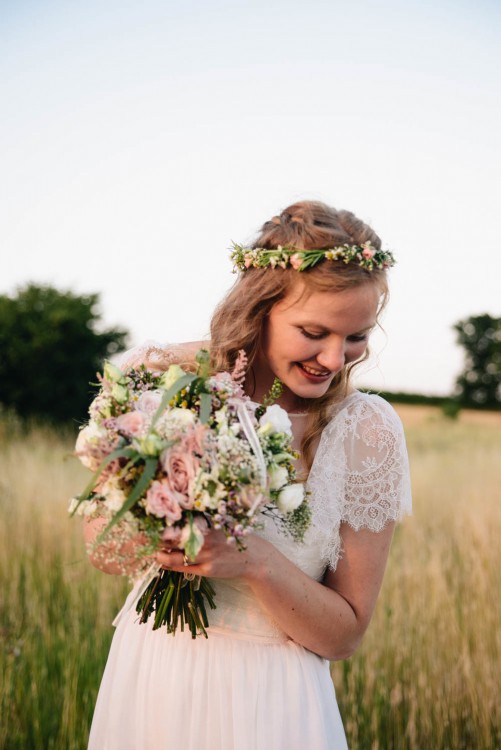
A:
(139, 139)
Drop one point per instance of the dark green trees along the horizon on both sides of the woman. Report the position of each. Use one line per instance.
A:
(52, 344)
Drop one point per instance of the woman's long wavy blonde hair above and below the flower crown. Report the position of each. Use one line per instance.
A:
(238, 320)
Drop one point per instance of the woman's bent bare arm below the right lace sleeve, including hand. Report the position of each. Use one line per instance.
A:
(328, 618)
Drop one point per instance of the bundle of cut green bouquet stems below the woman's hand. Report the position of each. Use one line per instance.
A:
(176, 599)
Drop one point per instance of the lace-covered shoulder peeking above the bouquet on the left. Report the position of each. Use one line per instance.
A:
(156, 355)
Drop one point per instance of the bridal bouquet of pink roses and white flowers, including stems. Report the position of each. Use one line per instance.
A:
(173, 454)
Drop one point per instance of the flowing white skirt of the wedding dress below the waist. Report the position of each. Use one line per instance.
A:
(227, 692)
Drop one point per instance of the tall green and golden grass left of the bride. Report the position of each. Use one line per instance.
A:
(55, 609)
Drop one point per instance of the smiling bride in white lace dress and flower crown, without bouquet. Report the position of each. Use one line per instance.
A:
(262, 680)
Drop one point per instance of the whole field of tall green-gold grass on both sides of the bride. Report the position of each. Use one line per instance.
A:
(426, 676)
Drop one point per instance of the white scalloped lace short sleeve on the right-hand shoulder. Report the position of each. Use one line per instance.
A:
(360, 475)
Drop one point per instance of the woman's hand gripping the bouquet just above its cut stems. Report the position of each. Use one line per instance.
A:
(219, 558)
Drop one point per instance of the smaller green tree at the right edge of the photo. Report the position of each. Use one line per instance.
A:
(479, 385)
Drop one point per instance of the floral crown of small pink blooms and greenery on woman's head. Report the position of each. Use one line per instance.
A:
(364, 255)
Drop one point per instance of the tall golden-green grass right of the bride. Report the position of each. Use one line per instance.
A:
(428, 673)
